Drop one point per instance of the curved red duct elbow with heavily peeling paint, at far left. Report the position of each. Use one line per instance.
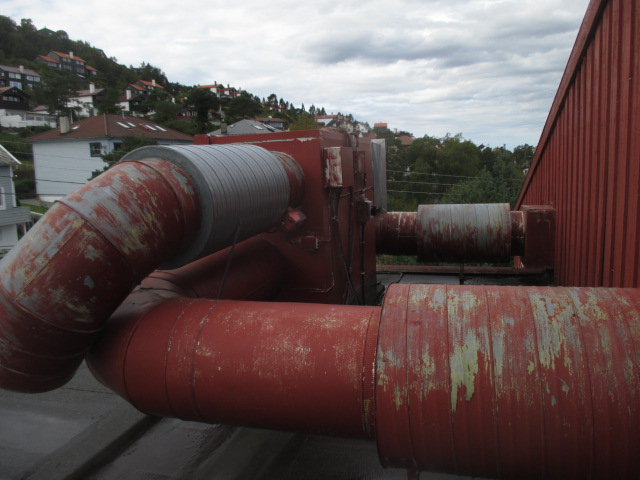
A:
(80, 260)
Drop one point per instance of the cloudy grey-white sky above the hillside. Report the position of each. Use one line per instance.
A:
(488, 69)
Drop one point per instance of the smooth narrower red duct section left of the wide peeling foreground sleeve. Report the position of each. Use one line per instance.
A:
(298, 367)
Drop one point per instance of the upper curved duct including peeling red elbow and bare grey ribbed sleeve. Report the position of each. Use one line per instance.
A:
(164, 205)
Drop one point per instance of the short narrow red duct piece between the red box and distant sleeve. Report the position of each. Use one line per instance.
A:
(396, 233)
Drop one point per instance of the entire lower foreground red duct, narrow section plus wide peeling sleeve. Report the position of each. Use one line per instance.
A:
(488, 381)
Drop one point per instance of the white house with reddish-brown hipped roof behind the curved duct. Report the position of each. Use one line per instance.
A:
(66, 157)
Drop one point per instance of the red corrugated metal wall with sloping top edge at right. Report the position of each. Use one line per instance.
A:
(587, 163)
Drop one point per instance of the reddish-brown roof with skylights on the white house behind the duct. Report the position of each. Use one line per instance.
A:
(112, 126)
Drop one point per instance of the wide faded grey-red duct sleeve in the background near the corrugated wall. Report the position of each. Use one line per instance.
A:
(464, 233)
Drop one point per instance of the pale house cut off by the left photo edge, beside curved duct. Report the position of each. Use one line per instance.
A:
(11, 216)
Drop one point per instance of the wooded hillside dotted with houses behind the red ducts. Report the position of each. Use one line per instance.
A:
(68, 111)
